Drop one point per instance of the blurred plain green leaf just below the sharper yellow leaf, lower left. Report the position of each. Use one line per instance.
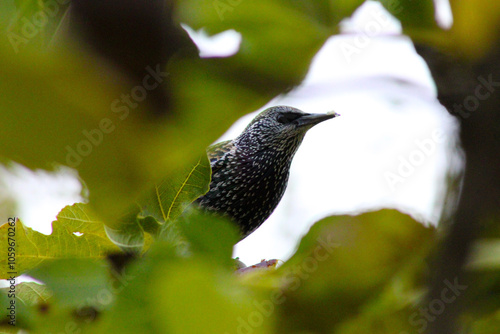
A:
(76, 282)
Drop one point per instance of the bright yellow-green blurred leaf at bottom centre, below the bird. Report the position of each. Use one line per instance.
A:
(188, 287)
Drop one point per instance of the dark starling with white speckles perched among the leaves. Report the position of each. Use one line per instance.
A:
(250, 173)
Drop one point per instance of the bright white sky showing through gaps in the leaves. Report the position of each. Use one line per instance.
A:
(390, 148)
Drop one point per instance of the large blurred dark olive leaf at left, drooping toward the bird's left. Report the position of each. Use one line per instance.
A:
(68, 121)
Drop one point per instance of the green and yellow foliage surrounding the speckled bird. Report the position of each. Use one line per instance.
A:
(350, 274)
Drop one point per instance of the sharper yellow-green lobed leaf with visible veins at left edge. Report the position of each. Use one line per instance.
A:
(32, 248)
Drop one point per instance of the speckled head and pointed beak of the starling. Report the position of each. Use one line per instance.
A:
(279, 125)
